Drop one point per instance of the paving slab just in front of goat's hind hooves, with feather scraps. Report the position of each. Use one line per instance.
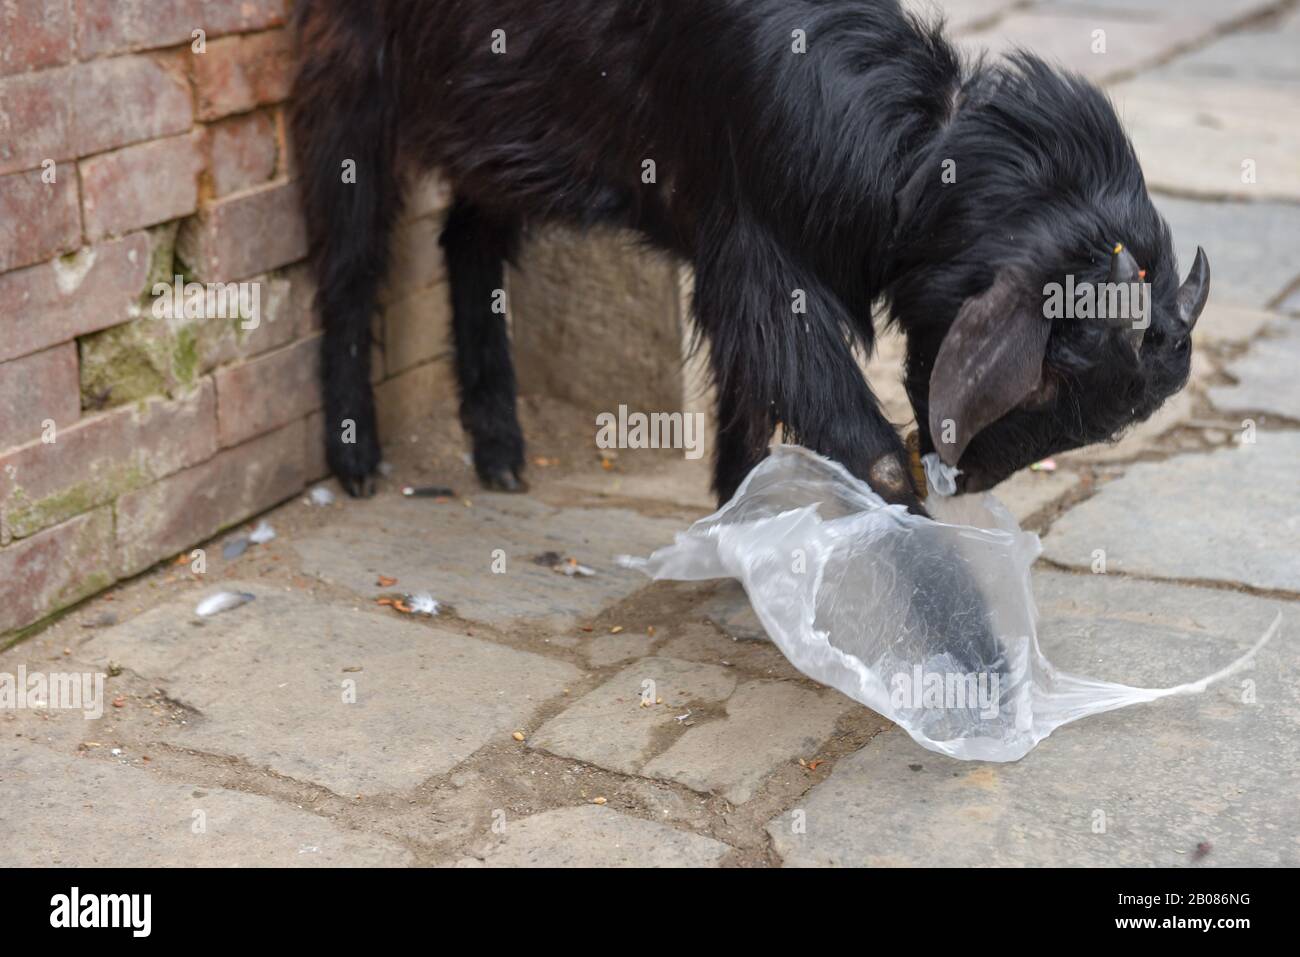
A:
(450, 551)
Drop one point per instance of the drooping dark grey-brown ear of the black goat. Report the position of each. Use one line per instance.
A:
(991, 360)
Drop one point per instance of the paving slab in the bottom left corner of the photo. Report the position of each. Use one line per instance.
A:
(59, 811)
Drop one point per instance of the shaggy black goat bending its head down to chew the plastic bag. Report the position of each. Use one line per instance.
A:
(778, 171)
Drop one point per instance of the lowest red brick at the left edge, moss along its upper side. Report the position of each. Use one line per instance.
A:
(55, 569)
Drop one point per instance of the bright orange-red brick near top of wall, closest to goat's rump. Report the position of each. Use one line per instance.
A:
(241, 73)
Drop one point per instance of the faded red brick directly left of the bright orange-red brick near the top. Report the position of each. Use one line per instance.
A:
(129, 99)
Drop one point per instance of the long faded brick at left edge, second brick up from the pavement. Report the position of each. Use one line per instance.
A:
(96, 461)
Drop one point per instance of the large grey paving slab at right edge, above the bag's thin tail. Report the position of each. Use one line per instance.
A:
(1228, 516)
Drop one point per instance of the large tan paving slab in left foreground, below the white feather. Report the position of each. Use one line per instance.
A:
(268, 681)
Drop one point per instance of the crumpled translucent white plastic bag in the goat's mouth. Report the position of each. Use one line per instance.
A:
(929, 622)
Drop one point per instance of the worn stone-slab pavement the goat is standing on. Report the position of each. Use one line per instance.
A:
(553, 720)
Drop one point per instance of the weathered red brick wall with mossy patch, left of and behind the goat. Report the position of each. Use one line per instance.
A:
(129, 157)
